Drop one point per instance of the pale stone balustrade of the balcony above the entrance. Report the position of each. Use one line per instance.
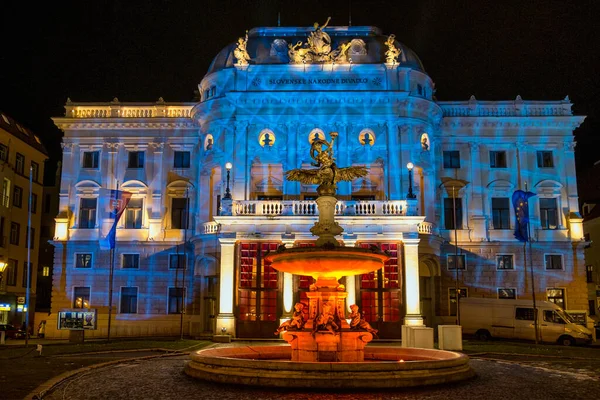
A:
(309, 207)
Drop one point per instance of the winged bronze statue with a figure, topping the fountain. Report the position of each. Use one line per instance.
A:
(328, 174)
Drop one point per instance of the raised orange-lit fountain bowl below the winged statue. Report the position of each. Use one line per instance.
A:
(327, 262)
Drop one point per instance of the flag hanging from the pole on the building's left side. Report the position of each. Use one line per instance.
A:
(113, 204)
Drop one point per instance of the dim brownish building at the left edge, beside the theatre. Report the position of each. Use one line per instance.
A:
(20, 149)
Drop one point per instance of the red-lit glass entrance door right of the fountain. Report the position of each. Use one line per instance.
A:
(380, 294)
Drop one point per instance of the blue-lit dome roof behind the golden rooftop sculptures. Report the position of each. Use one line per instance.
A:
(270, 46)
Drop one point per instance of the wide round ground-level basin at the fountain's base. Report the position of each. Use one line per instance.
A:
(384, 367)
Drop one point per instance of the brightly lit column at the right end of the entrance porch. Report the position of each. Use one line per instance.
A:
(412, 295)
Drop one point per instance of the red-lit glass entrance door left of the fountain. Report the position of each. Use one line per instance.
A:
(258, 287)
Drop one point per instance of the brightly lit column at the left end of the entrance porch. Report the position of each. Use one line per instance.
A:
(226, 319)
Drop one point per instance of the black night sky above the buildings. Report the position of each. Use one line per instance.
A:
(139, 51)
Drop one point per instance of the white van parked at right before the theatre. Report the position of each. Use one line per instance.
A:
(514, 319)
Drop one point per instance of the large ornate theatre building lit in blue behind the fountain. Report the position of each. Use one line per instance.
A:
(209, 198)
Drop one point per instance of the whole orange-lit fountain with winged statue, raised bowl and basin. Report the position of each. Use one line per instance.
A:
(326, 351)
